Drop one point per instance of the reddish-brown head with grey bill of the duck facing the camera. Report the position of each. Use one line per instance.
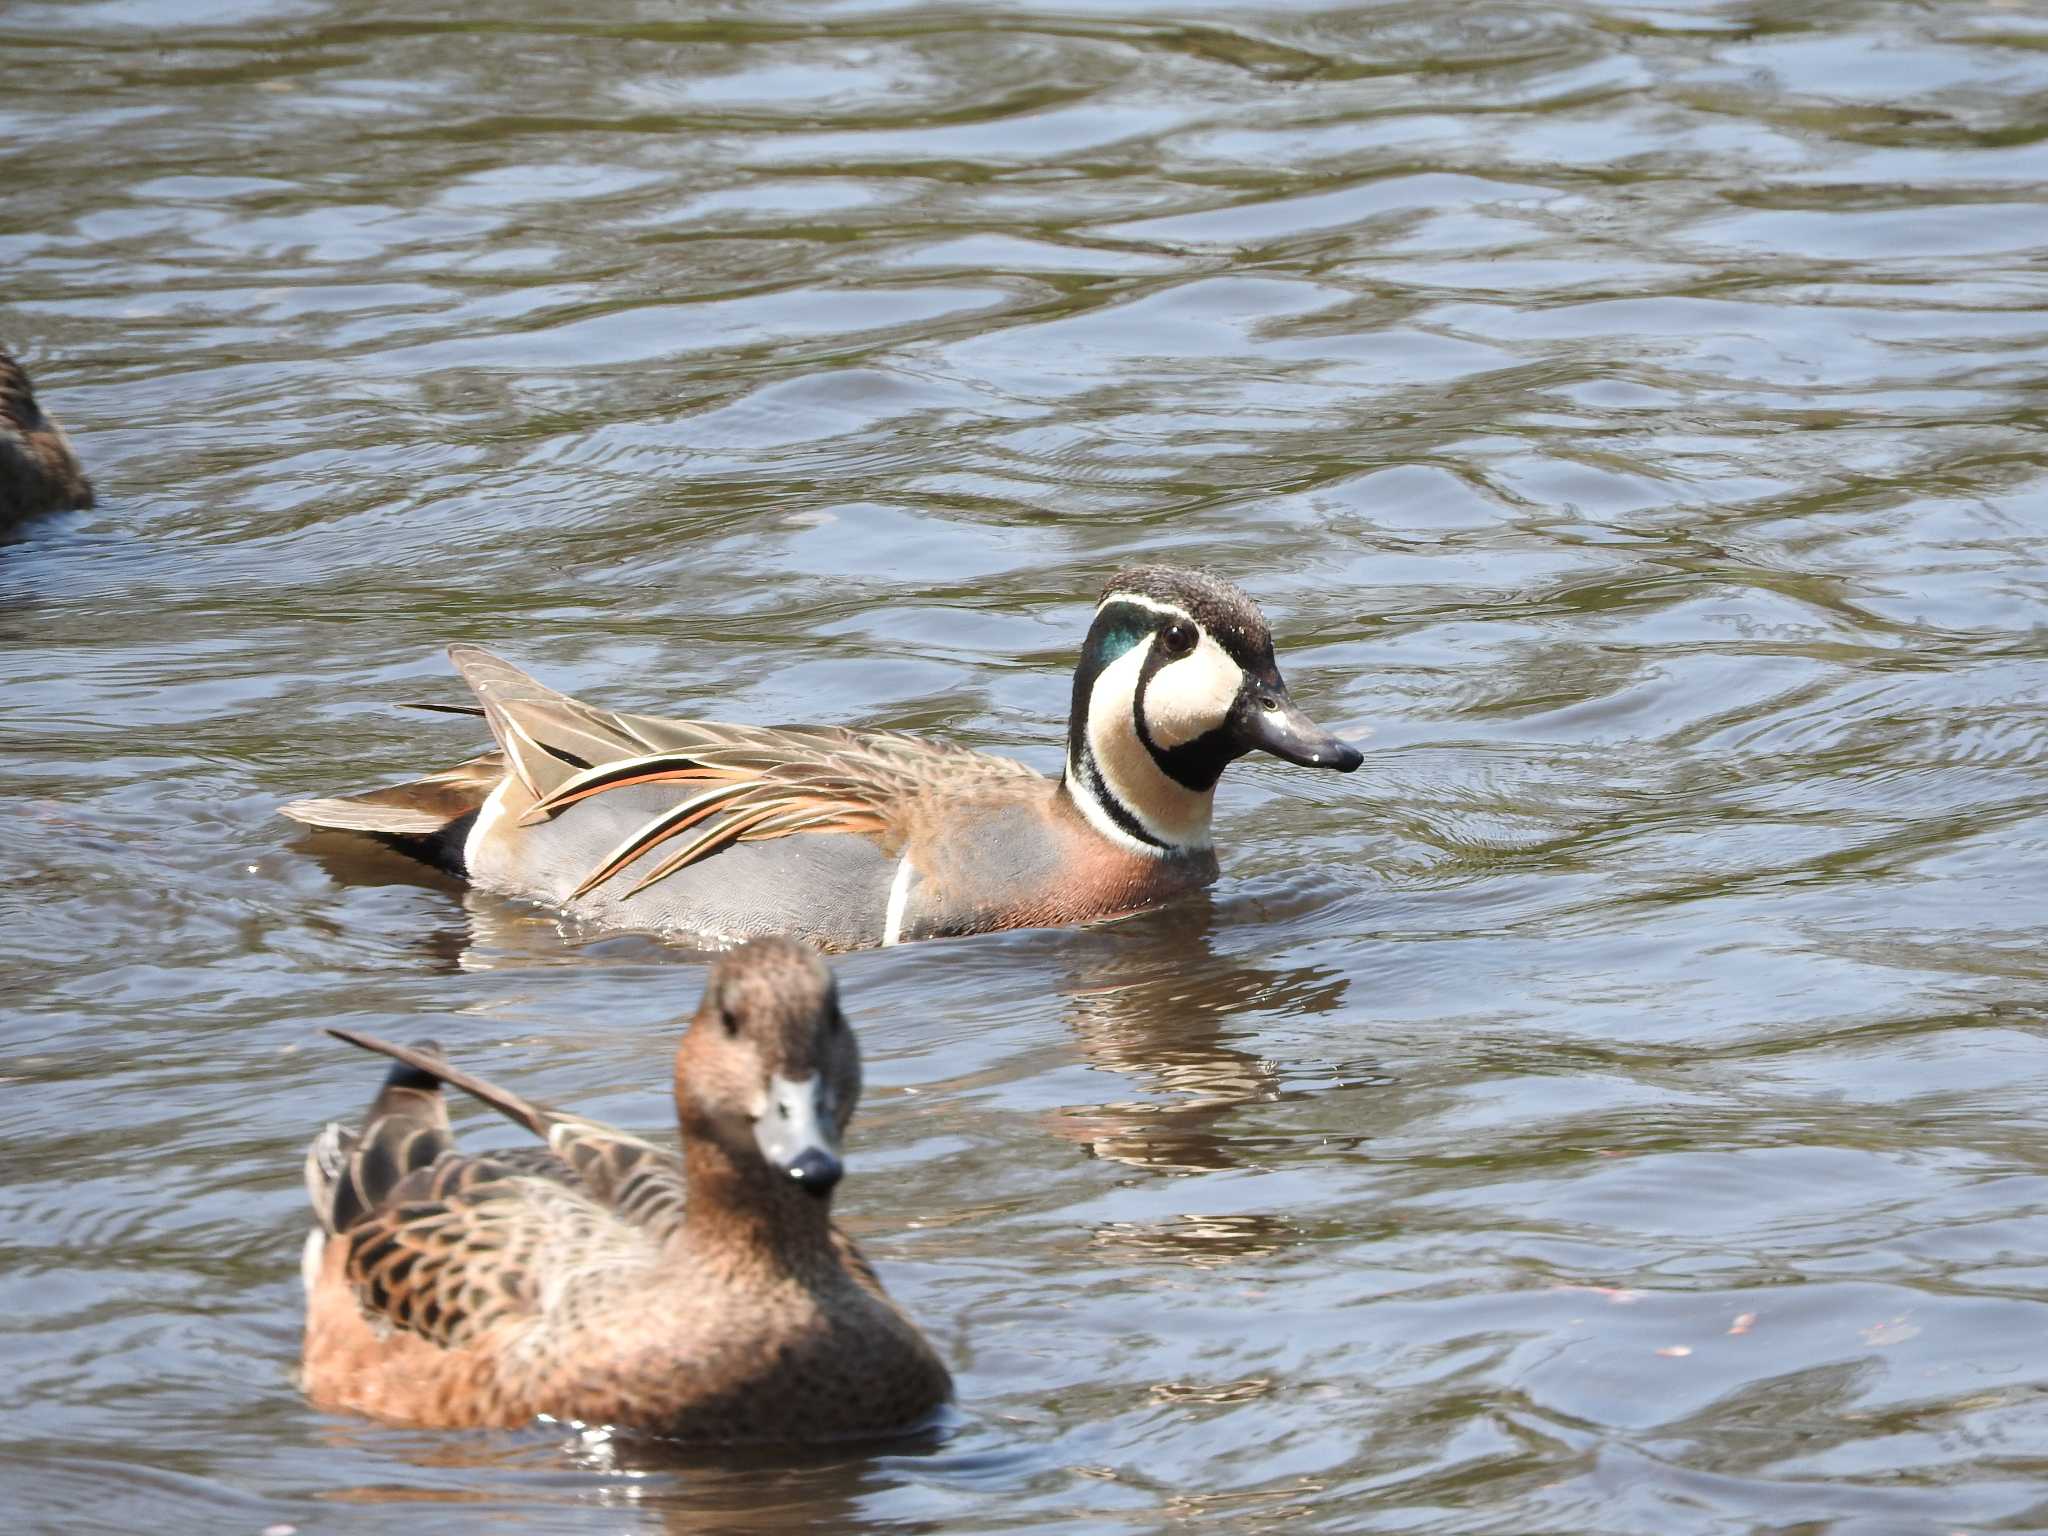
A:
(769, 1068)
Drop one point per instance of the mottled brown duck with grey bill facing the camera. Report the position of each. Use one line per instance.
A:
(609, 1281)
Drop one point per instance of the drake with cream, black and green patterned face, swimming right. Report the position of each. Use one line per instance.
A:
(859, 839)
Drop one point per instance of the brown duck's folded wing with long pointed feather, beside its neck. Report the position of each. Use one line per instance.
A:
(620, 1172)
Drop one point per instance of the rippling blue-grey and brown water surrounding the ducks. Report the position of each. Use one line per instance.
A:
(1617, 1109)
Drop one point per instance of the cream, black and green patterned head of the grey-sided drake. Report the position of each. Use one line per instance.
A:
(1179, 681)
